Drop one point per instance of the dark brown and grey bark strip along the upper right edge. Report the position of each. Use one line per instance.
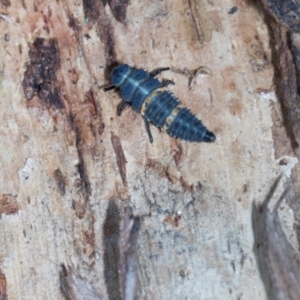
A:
(286, 57)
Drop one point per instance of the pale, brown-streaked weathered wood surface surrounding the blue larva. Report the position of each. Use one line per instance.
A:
(69, 165)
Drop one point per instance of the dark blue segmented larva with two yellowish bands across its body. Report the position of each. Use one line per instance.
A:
(159, 106)
